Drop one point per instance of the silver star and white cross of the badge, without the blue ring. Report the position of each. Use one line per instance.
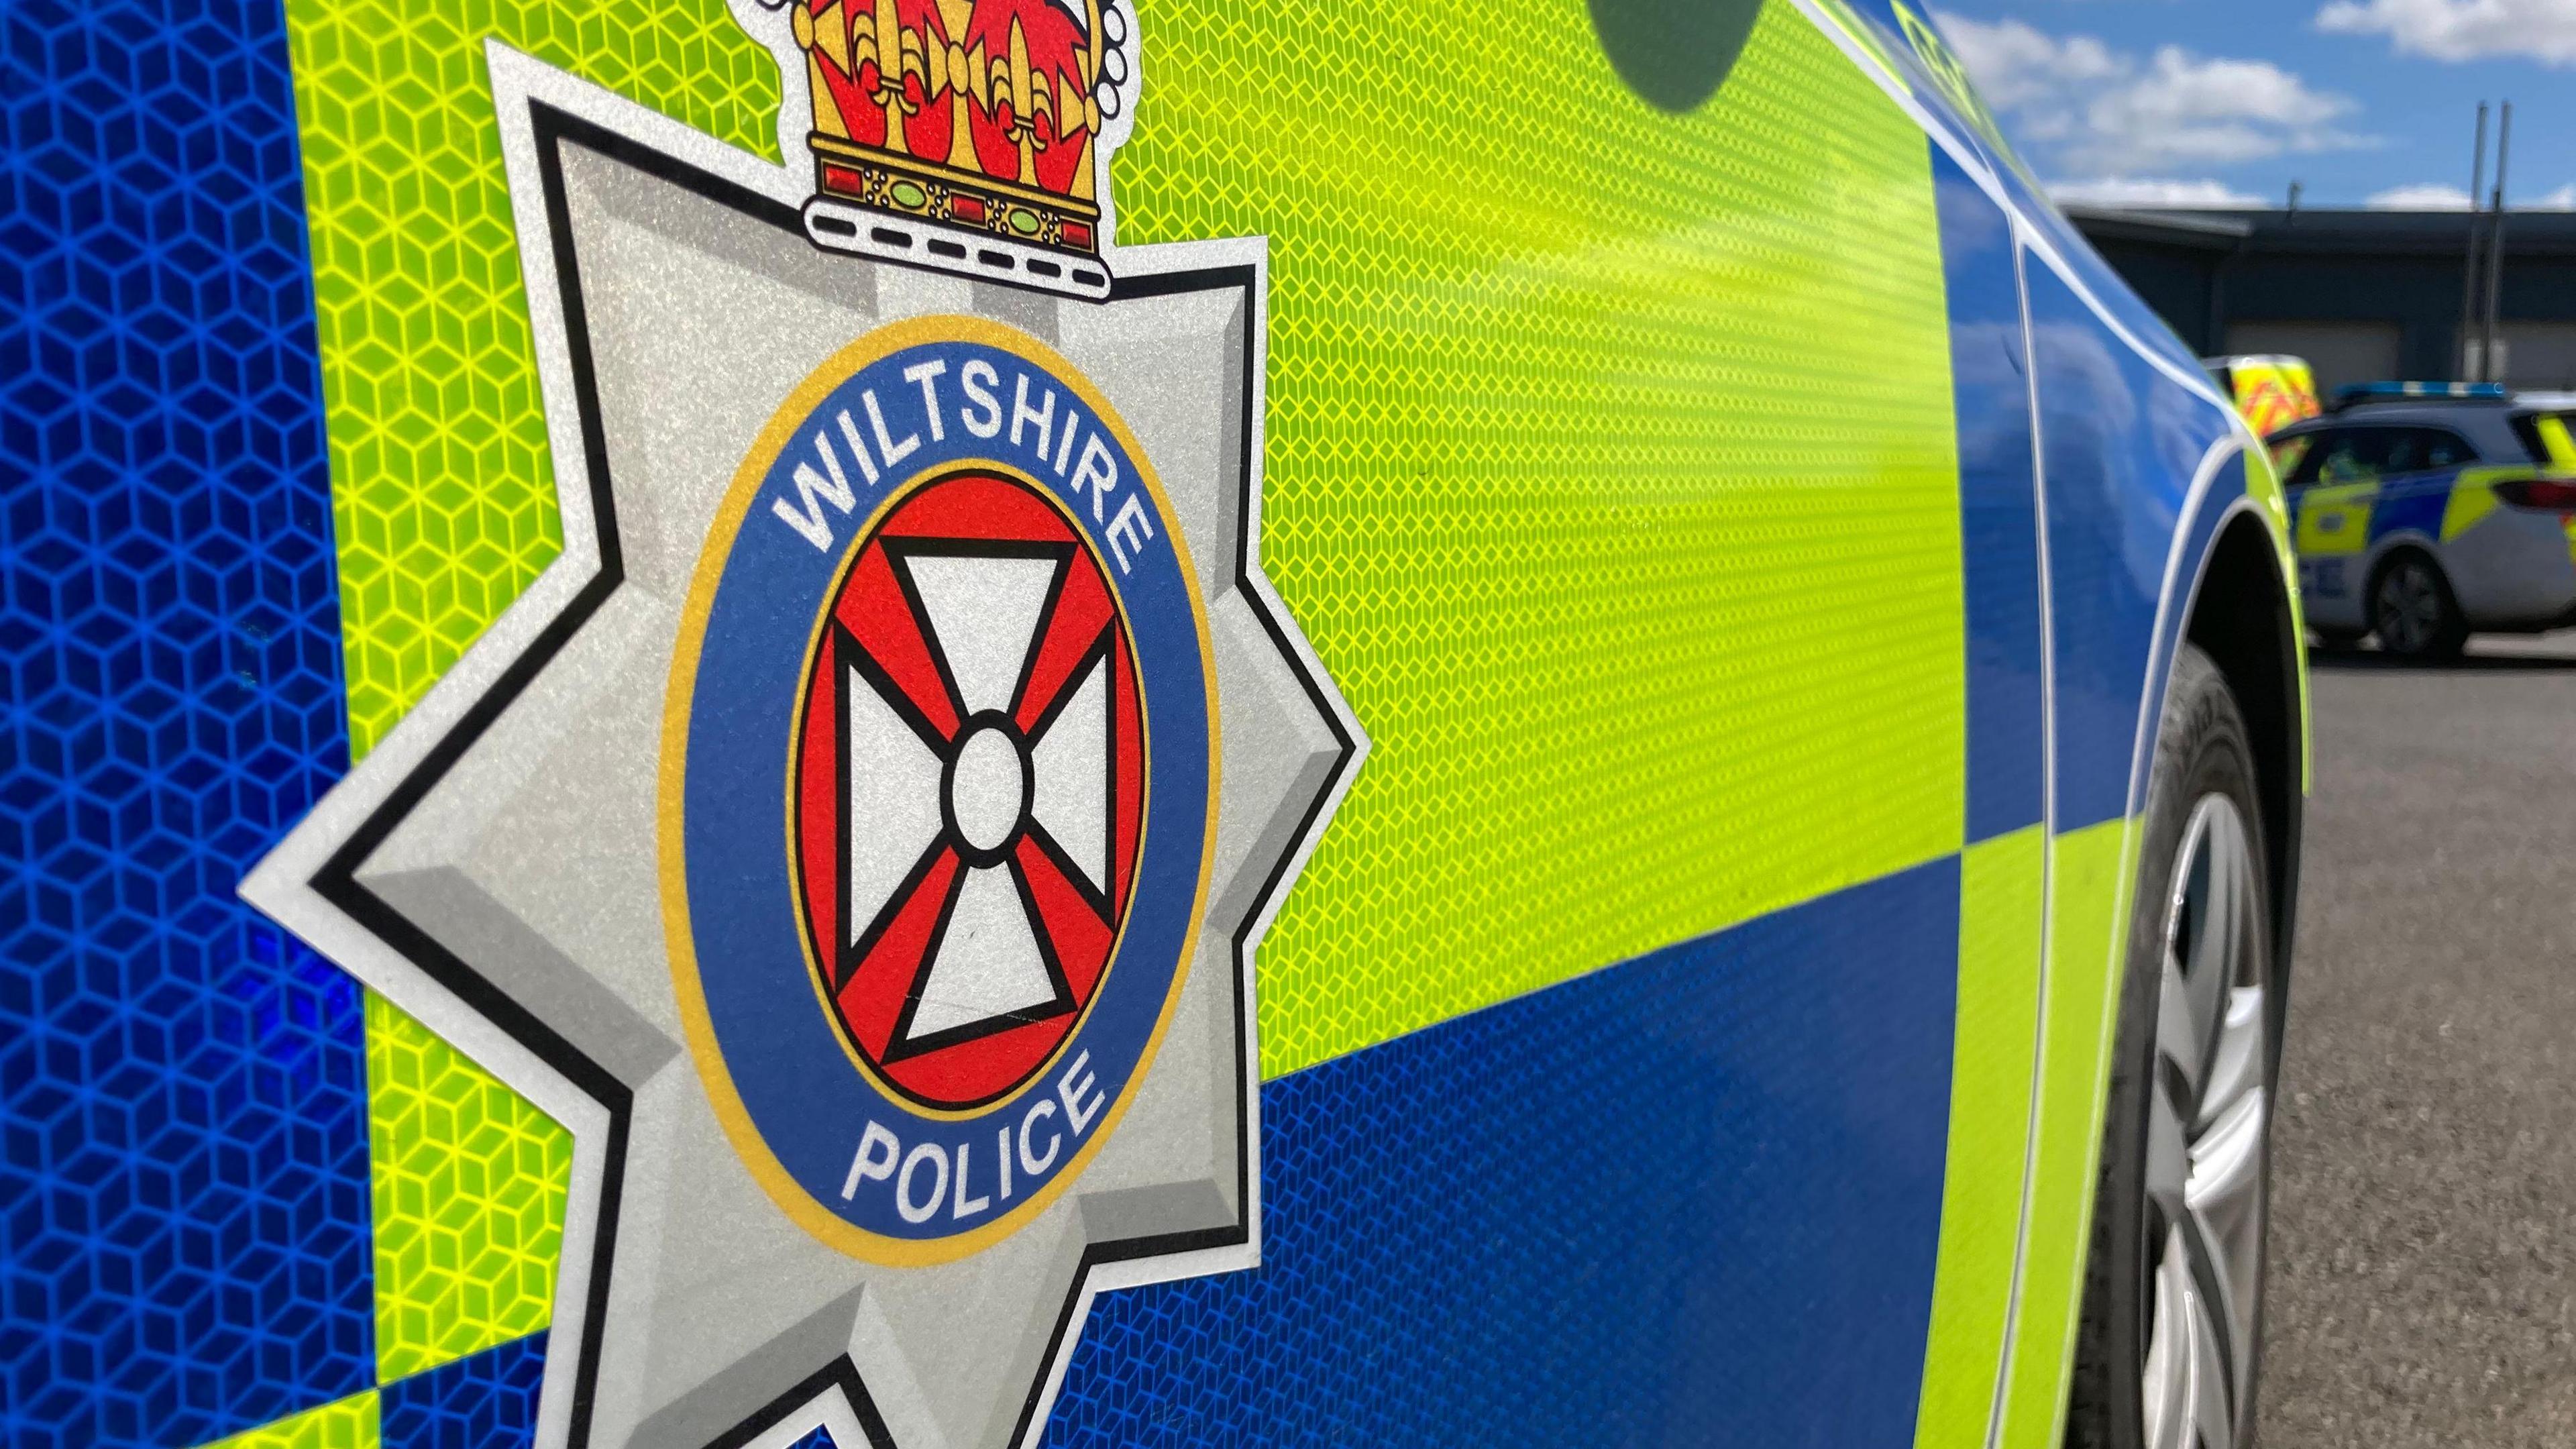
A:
(493, 870)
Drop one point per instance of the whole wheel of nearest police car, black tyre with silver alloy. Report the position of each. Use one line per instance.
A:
(2170, 1342)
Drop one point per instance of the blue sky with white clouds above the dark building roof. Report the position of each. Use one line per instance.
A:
(2230, 102)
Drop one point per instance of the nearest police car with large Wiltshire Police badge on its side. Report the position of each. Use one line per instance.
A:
(1014, 723)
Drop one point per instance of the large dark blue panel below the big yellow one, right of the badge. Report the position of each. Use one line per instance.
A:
(1683, 1200)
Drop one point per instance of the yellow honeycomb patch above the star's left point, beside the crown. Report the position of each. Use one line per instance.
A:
(437, 429)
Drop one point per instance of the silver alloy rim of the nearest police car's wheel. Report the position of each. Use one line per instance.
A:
(2206, 1141)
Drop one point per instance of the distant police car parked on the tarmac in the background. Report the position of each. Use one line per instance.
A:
(2428, 512)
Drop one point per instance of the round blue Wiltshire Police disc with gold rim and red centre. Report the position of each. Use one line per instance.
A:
(947, 785)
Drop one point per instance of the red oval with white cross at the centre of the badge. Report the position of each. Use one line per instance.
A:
(970, 788)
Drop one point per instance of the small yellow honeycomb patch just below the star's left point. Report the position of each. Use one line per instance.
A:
(470, 1187)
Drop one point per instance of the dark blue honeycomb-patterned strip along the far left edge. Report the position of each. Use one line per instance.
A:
(184, 1226)
